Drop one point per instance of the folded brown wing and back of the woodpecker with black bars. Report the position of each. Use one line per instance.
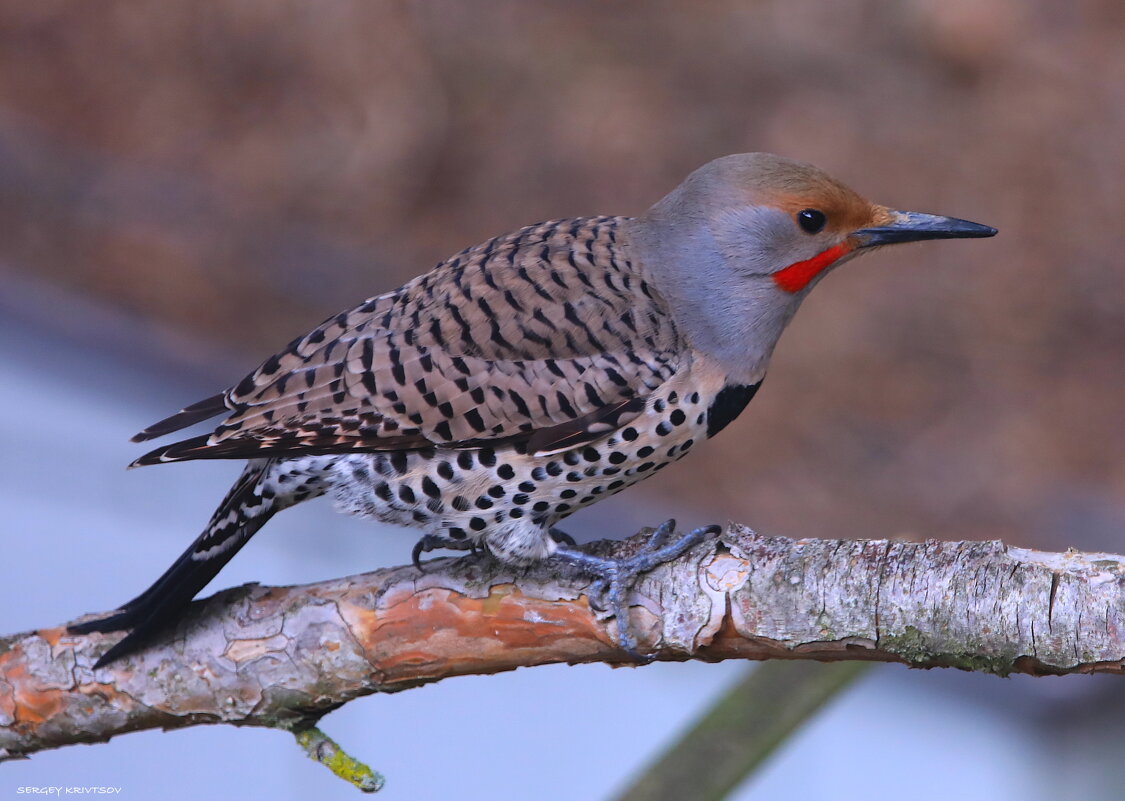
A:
(547, 335)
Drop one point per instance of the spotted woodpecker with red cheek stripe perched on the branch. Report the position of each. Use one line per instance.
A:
(528, 377)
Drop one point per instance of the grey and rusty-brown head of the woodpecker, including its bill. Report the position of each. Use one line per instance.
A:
(742, 241)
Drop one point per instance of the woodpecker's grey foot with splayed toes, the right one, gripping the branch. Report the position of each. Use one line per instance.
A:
(617, 577)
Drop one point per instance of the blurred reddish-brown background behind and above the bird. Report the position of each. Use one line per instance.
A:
(240, 172)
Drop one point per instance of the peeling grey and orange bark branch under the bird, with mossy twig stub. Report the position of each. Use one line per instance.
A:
(284, 656)
